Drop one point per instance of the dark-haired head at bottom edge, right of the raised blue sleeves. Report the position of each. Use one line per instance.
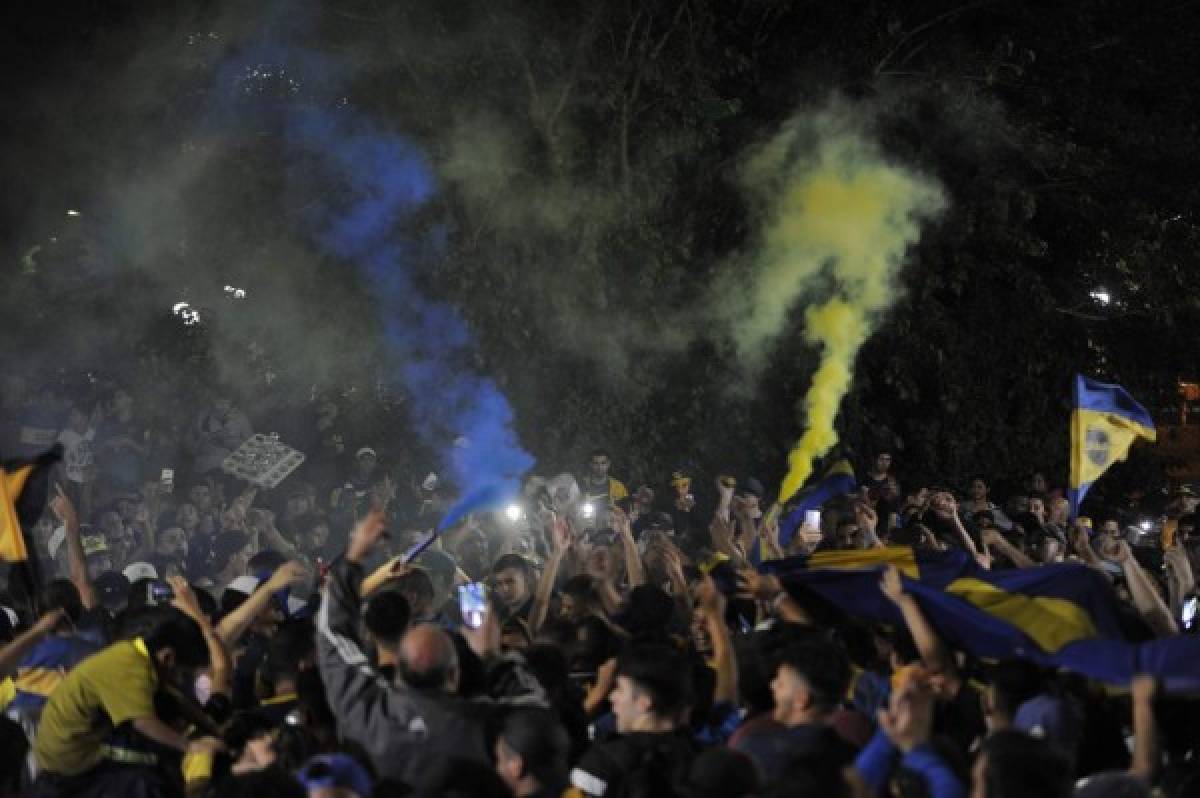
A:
(1015, 765)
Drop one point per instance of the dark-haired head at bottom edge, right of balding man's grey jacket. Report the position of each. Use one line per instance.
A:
(531, 752)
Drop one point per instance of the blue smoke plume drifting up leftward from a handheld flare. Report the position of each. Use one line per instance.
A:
(370, 183)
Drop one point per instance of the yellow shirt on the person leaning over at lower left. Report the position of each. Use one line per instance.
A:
(100, 694)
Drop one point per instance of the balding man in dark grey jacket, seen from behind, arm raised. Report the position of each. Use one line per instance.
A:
(419, 722)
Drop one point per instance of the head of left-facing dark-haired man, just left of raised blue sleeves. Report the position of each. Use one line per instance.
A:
(811, 680)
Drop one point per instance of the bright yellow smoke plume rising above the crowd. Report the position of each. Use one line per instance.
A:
(838, 221)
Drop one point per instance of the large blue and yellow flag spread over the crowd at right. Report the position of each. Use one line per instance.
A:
(1064, 616)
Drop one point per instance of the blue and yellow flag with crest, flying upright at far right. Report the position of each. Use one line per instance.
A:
(1106, 423)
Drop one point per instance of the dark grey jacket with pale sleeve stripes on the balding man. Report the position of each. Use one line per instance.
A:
(404, 730)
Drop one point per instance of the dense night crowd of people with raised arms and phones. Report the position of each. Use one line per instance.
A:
(197, 637)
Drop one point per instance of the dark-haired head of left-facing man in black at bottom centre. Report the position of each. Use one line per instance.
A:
(653, 691)
